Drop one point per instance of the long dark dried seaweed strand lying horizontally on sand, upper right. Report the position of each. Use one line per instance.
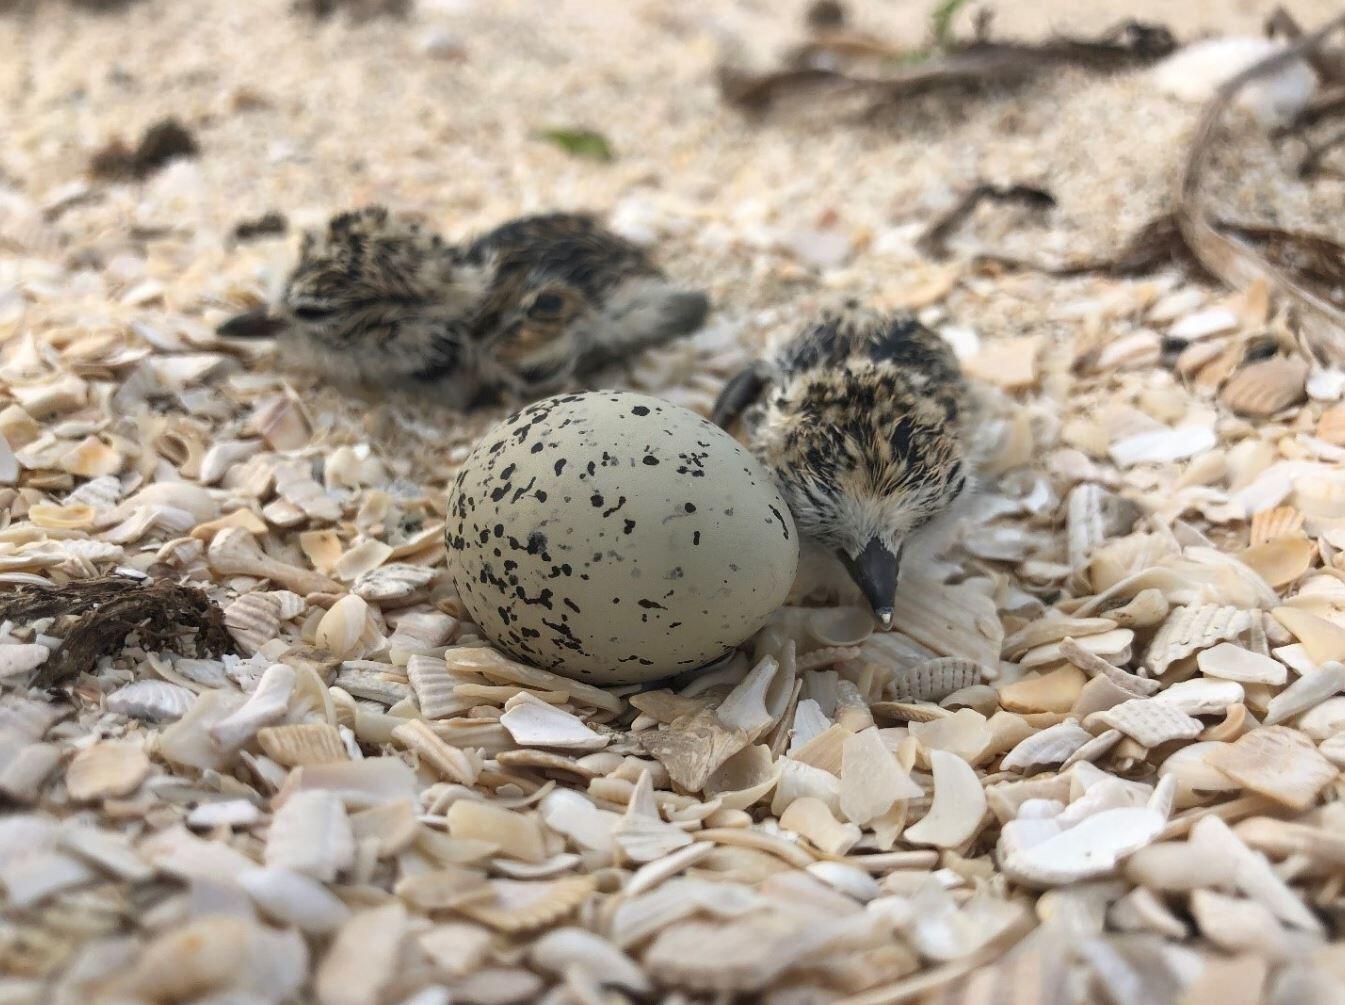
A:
(976, 64)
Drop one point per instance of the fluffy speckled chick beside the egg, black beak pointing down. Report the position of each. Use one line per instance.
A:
(863, 420)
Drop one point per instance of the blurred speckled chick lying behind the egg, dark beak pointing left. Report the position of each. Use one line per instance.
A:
(518, 313)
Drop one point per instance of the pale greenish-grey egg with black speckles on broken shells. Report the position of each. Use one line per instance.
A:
(614, 537)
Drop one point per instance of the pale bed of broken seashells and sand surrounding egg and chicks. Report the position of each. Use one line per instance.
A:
(1098, 759)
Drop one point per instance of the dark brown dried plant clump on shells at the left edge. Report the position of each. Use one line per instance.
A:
(95, 617)
